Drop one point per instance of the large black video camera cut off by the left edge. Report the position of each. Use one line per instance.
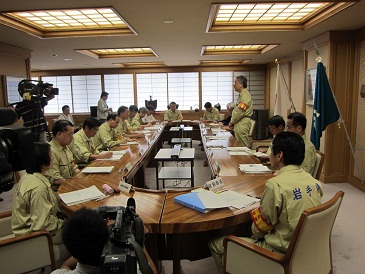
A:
(16, 148)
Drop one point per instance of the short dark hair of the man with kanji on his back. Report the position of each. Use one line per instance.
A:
(292, 145)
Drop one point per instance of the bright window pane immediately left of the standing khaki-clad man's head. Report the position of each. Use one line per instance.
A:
(217, 87)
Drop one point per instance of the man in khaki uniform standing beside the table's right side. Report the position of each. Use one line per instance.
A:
(242, 112)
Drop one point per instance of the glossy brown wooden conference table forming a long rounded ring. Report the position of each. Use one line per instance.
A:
(159, 212)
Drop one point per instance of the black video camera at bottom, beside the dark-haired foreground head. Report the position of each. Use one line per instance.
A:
(126, 241)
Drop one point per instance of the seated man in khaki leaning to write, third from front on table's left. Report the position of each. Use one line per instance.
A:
(83, 148)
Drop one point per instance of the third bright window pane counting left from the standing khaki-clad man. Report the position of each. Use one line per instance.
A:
(152, 85)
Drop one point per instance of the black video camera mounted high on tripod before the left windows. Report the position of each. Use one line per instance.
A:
(33, 90)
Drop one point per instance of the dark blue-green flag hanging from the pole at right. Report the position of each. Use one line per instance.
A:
(325, 110)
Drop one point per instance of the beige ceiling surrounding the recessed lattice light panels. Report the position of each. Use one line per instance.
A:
(176, 44)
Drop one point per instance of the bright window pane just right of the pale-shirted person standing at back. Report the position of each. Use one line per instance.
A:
(120, 89)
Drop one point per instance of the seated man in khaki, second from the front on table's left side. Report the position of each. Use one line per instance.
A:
(64, 166)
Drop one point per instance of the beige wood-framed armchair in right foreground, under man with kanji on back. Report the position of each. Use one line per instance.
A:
(309, 250)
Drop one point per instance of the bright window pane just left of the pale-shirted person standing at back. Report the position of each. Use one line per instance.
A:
(86, 90)
